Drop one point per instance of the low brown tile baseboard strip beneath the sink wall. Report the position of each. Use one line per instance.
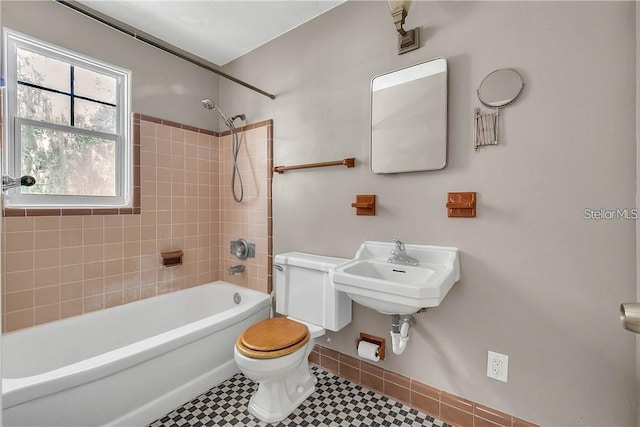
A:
(439, 404)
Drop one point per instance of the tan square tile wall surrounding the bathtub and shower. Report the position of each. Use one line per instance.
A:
(68, 263)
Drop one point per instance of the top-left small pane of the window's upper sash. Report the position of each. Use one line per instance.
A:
(43, 71)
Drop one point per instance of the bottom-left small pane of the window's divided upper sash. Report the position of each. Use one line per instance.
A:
(38, 104)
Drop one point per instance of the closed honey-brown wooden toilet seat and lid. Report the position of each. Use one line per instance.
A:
(272, 338)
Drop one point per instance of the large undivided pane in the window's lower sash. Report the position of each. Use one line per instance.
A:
(66, 163)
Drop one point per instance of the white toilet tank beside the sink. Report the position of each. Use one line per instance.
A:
(304, 291)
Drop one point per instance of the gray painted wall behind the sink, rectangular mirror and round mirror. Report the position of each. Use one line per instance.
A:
(539, 283)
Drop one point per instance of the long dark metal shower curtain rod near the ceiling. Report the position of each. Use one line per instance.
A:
(157, 43)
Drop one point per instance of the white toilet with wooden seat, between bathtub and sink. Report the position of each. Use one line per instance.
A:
(274, 352)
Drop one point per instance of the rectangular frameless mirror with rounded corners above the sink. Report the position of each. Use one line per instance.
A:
(409, 119)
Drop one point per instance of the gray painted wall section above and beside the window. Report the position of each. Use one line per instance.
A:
(163, 85)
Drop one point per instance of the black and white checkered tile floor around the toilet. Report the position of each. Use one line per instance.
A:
(336, 402)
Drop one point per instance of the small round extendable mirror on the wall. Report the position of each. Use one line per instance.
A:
(500, 88)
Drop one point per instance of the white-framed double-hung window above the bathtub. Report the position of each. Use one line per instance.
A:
(67, 123)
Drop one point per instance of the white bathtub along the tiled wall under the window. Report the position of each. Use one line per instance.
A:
(126, 365)
